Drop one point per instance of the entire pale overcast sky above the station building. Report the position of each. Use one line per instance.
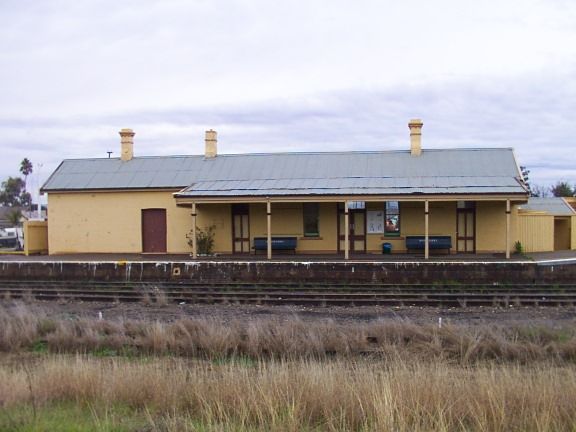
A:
(287, 75)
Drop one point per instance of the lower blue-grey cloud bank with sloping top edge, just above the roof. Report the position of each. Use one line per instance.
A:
(532, 115)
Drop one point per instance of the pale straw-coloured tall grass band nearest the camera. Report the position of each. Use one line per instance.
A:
(337, 395)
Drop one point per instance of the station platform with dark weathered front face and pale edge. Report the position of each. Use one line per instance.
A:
(373, 269)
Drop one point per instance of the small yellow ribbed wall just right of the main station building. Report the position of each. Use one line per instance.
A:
(536, 232)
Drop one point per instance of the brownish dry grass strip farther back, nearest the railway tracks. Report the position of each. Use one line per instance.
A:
(23, 329)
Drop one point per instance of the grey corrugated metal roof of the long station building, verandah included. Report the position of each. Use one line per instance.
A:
(387, 172)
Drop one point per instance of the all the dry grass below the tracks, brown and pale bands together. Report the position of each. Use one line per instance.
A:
(291, 375)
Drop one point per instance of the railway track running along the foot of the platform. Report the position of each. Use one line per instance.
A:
(312, 294)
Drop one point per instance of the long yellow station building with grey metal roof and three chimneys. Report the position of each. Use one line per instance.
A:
(323, 203)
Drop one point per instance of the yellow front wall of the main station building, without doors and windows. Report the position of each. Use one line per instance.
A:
(110, 222)
